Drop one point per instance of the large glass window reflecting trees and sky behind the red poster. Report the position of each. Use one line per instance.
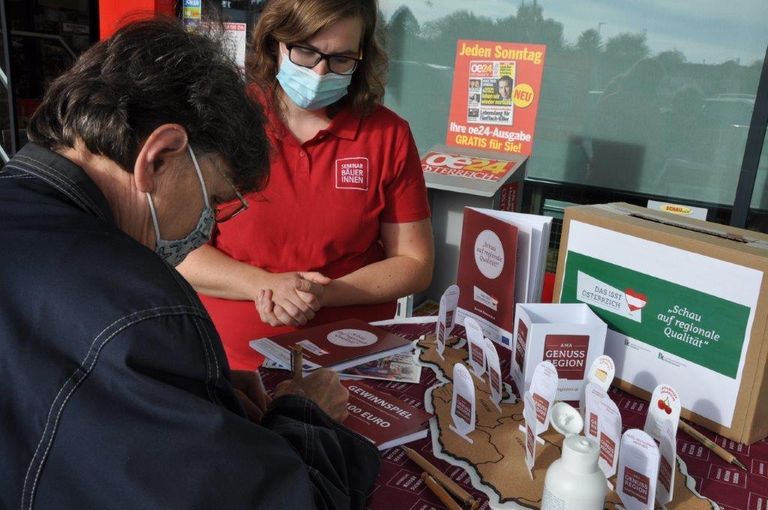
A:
(652, 98)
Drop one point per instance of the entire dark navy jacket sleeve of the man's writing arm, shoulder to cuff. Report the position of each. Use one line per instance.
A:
(155, 424)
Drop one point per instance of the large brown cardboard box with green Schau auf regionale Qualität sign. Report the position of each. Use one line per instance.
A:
(686, 305)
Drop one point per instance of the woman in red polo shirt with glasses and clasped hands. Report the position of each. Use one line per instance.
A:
(342, 230)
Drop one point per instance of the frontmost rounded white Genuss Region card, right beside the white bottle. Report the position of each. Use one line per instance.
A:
(638, 470)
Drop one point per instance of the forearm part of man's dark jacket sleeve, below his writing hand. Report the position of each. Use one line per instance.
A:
(342, 464)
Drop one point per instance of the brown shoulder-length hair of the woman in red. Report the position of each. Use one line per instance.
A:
(295, 21)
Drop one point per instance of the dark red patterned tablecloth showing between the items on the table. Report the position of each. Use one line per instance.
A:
(399, 485)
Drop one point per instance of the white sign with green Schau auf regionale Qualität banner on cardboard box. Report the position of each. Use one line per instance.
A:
(667, 324)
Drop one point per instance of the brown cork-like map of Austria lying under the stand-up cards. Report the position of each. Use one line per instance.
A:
(496, 459)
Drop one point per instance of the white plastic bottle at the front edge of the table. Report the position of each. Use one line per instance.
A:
(574, 481)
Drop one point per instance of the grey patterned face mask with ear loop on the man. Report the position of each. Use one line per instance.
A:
(175, 251)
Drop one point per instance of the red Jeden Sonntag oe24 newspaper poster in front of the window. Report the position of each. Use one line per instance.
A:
(496, 89)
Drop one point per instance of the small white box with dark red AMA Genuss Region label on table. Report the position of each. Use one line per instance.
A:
(570, 336)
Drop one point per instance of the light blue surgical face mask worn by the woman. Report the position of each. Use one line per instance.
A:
(308, 89)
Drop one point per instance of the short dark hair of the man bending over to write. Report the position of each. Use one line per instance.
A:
(153, 72)
